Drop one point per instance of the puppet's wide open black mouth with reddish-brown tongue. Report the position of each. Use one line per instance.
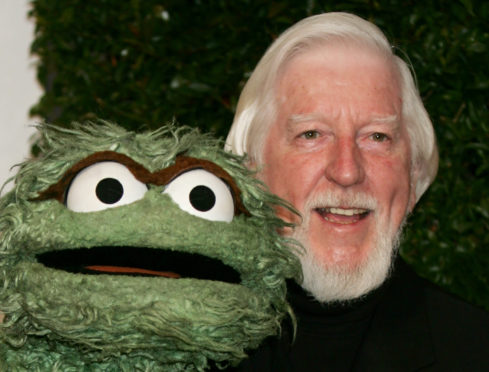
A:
(140, 262)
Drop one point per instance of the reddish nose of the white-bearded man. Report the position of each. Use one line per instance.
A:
(345, 163)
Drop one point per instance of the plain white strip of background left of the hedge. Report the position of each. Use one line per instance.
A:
(19, 89)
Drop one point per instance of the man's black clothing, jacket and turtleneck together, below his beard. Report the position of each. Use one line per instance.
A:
(408, 324)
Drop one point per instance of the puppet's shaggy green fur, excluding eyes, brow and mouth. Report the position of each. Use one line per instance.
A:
(60, 321)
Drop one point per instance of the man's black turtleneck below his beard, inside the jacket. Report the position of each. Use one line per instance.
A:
(326, 335)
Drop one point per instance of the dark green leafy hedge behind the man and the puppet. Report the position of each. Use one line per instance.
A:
(144, 62)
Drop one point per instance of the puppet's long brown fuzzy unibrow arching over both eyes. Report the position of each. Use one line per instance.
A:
(160, 178)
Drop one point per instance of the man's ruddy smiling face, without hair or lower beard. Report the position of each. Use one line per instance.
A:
(339, 152)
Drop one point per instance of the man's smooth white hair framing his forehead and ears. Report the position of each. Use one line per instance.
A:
(256, 109)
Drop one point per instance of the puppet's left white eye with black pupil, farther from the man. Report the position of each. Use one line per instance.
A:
(103, 185)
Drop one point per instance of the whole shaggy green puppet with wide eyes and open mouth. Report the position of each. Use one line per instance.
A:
(120, 251)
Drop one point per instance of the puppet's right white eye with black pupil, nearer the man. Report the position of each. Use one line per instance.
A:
(202, 194)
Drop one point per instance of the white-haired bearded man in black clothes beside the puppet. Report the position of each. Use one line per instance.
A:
(334, 124)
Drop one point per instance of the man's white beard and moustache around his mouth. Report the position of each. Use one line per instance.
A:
(337, 283)
